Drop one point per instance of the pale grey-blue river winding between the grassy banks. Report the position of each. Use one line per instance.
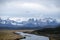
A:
(32, 36)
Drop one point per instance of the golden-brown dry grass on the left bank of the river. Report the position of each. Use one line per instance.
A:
(9, 35)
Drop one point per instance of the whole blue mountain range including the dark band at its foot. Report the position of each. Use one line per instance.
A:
(31, 23)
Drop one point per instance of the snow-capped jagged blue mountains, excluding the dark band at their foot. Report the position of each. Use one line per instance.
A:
(31, 22)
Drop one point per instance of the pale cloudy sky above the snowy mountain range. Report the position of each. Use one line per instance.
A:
(30, 8)
